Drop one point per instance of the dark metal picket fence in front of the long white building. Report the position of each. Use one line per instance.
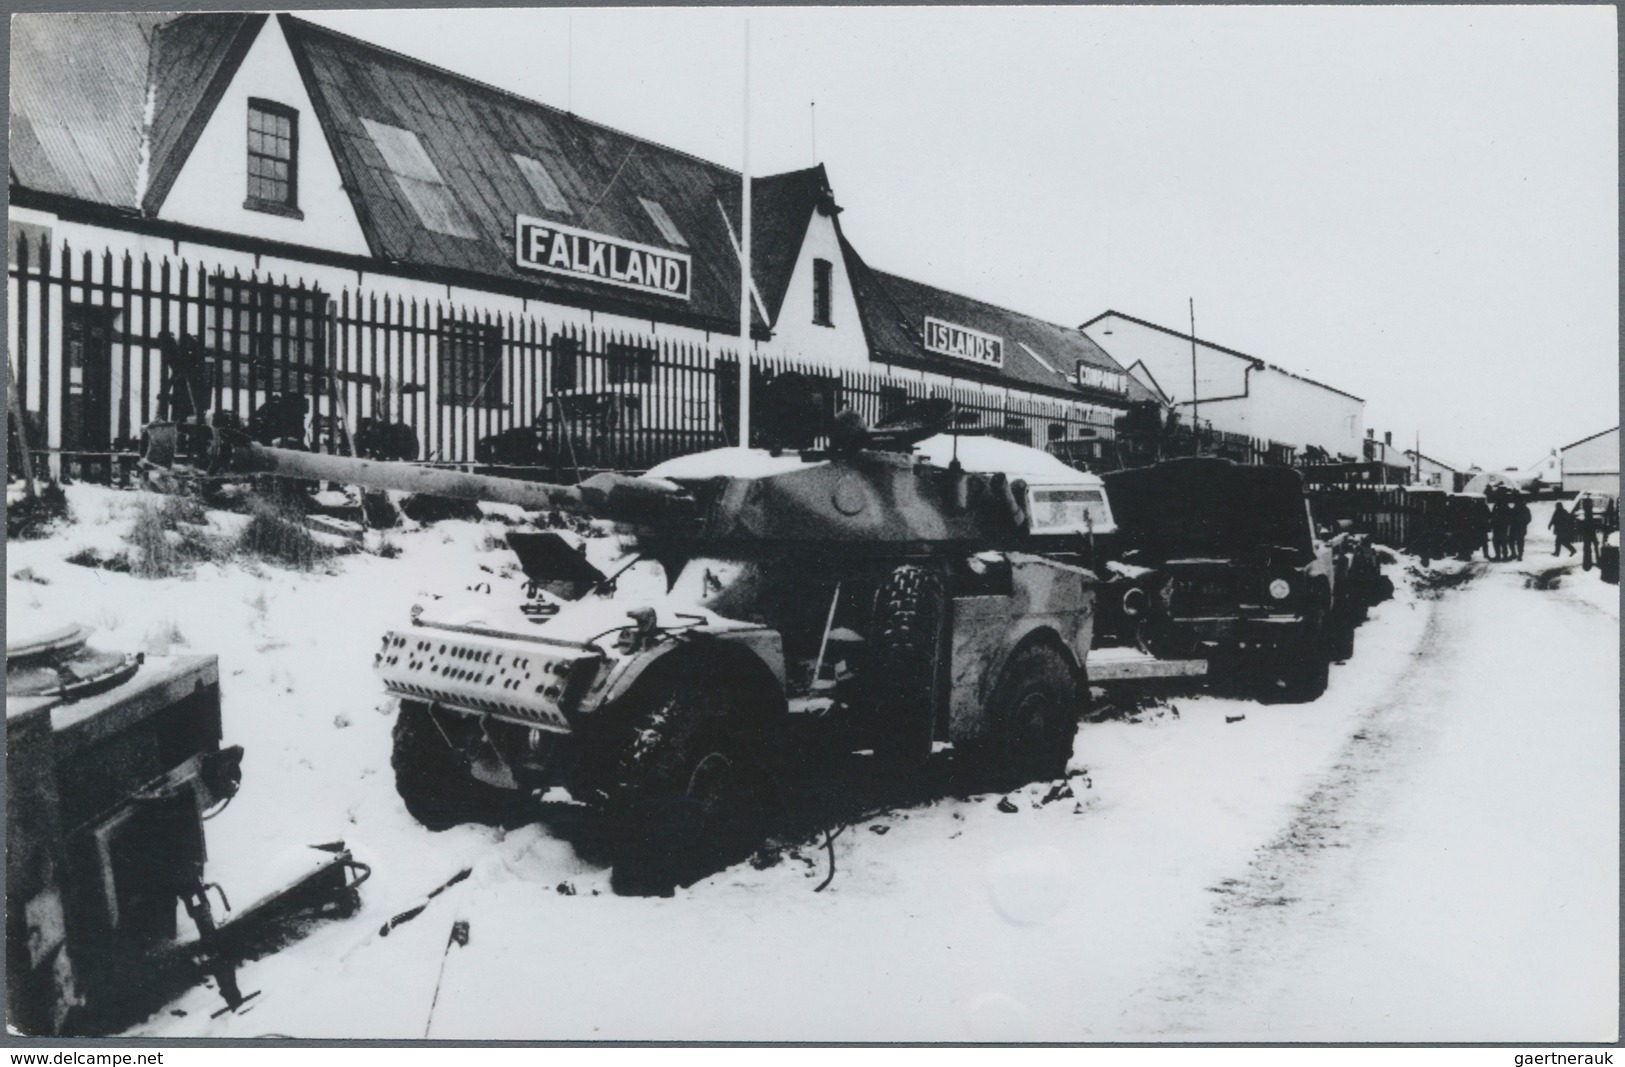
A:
(103, 345)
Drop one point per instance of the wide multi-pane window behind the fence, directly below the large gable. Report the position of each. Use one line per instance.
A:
(264, 335)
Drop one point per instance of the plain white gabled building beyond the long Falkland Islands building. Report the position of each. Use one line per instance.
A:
(1239, 394)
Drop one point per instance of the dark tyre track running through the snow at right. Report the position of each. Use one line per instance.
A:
(1301, 875)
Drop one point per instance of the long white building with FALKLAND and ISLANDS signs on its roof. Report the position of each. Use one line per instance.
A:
(297, 212)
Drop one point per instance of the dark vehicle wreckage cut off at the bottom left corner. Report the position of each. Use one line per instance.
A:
(113, 764)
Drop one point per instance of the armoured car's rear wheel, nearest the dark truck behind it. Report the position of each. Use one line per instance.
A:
(1034, 722)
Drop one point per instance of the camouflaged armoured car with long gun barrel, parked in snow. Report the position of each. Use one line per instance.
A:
(917, 598)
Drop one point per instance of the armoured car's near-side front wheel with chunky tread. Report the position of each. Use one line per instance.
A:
(690, 788)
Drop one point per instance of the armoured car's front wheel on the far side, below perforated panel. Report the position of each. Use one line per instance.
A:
(433, 779)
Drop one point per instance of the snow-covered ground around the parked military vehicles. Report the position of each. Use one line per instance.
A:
(1426, 853)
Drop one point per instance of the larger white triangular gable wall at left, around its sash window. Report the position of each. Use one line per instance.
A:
(214, 181)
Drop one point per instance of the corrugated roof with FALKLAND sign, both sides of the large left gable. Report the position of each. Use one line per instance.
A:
(87, 87)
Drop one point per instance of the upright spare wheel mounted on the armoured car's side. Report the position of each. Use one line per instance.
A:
(909, 618)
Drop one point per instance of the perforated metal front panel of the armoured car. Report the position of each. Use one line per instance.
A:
(509, 680)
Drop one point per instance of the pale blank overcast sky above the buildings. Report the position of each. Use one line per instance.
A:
(1416, 205)
